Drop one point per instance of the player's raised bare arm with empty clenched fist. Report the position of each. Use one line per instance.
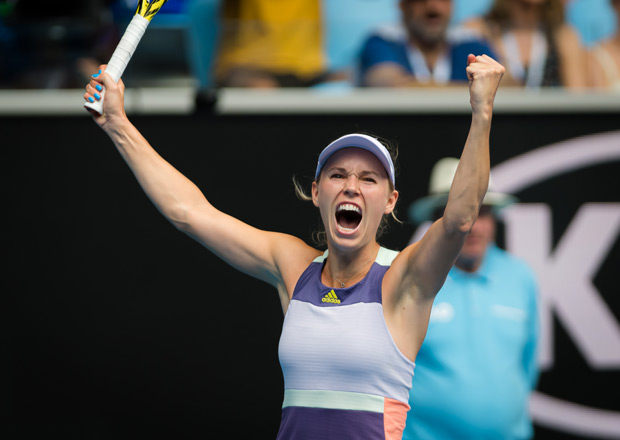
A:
(421, 269)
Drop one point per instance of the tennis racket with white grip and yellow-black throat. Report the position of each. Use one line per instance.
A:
(145, 11)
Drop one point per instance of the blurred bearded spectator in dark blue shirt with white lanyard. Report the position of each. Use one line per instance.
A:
(420, 51)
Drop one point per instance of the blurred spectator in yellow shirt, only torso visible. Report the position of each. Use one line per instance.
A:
(271, 43)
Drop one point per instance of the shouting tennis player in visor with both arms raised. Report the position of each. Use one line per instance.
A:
(357, 313)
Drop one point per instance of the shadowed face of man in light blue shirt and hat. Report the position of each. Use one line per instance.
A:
(482, 234)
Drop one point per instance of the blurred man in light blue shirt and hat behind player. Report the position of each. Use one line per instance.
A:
(477, 365)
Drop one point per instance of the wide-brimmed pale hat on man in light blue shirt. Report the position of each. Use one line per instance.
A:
(443, 172)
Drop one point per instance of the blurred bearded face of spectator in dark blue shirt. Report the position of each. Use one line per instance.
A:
(427, 20)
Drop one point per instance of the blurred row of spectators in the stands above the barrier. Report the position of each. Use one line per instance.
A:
(326, 43)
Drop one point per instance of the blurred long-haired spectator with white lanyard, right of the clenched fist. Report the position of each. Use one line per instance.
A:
(534, 43)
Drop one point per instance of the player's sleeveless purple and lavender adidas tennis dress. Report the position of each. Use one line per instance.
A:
(344, 377)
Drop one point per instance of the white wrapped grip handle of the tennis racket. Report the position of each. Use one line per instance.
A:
(121, 56)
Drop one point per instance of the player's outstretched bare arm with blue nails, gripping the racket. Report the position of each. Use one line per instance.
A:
(274, 258)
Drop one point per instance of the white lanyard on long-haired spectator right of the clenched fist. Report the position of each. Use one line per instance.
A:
(538, 58)
